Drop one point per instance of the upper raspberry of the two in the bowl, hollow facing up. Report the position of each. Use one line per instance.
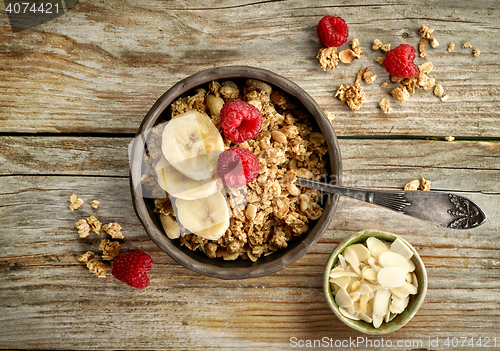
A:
(240, 121)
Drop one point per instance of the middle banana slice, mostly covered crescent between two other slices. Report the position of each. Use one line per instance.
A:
(178, 185)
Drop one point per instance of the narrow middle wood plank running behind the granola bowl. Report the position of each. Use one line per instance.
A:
(460, 166)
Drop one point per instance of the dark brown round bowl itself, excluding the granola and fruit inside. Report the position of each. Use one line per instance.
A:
(195, 260)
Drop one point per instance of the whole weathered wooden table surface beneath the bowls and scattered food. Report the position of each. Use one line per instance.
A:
(74, 90)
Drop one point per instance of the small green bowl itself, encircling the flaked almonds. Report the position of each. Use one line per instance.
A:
(415, 300)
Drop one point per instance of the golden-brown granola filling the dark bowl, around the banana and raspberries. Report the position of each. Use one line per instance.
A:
(270, 211)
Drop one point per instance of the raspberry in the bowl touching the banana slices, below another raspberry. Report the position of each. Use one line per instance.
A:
(237, 167)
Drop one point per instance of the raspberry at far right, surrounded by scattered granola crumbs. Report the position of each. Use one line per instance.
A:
(399, 61)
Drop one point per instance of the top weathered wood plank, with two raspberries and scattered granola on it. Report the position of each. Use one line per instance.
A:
(100, 67)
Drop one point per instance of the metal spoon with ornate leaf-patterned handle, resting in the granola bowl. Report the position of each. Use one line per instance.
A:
(444, 209)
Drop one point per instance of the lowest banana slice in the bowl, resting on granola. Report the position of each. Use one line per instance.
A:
(207, 217)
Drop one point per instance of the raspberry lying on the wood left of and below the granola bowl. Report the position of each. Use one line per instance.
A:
(132, 267)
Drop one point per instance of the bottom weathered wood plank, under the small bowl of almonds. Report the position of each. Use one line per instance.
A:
(45, 290)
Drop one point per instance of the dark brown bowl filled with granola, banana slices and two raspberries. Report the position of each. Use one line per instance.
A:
(213, 171)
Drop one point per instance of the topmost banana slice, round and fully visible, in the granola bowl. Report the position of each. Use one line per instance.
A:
(192, 144)
